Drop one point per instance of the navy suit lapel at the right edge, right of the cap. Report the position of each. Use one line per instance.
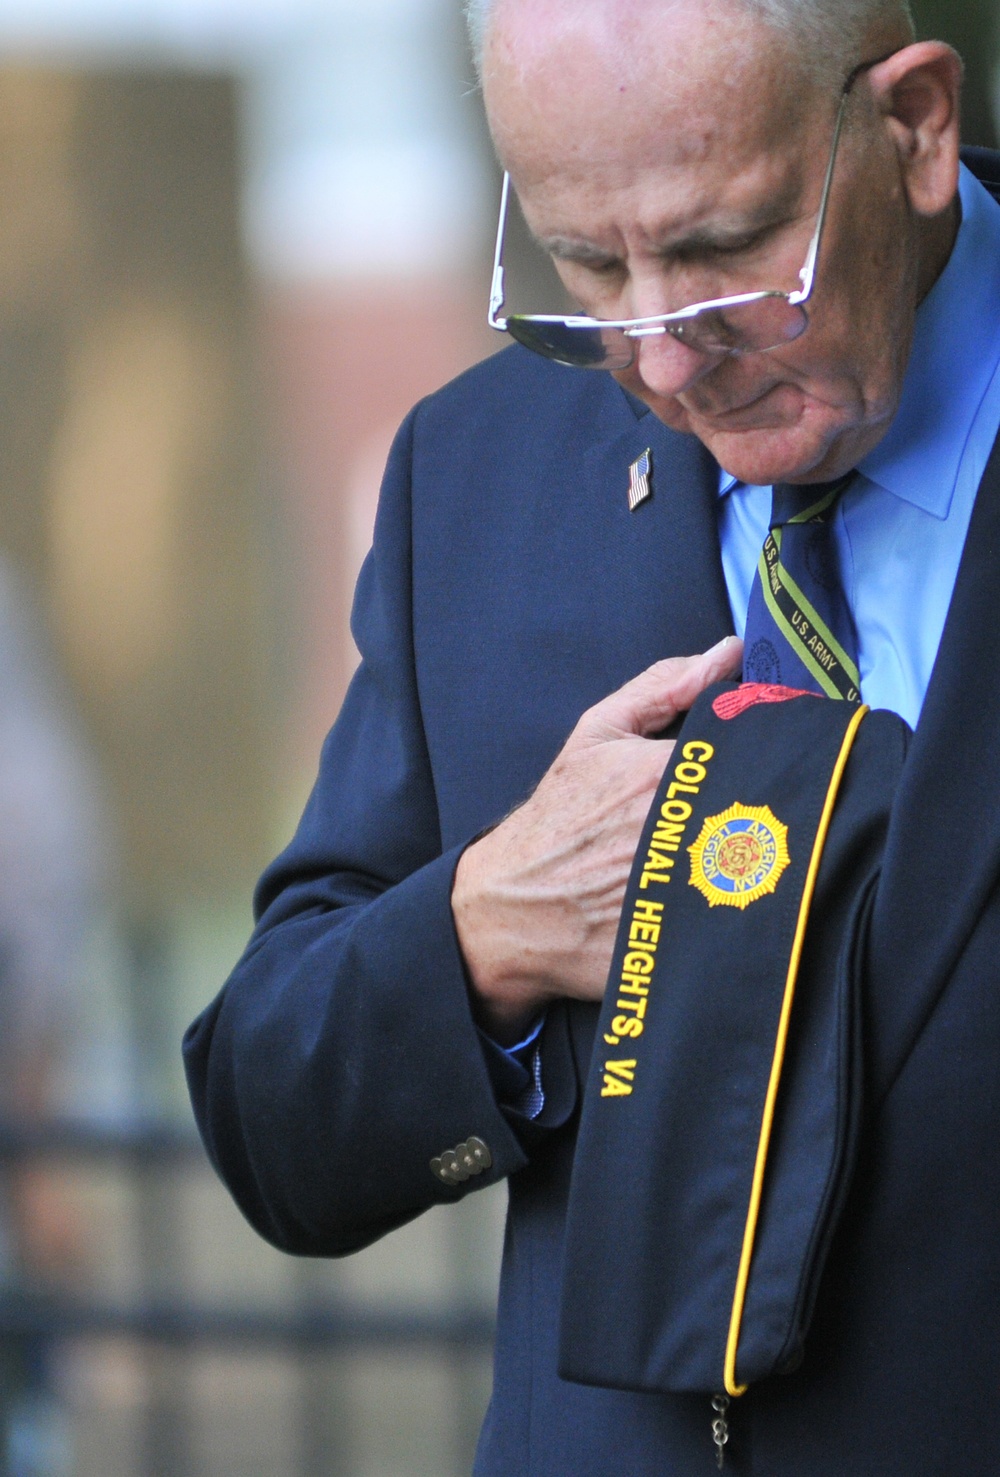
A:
(943, 853)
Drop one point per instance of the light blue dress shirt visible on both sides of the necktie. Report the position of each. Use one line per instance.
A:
(902, 527)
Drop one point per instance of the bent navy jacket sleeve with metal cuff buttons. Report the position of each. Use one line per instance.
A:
(342, 1057)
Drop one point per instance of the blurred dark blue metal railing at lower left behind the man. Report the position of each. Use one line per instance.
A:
(172, 1329)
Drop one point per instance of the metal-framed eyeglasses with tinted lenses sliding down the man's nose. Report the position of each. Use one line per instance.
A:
(745, 324)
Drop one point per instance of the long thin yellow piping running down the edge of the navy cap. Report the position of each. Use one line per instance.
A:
(767, 1123)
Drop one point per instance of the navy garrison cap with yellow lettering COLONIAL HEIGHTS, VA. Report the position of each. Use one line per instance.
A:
(722, 1110)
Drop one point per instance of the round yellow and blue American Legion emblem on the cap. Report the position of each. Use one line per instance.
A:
(739, 856)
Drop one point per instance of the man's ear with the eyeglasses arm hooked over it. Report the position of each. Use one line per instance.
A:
(918, 92)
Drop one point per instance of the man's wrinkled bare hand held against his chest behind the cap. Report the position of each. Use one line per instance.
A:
(537, 900)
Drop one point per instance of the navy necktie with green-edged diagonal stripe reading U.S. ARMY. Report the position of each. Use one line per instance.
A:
(800, 631)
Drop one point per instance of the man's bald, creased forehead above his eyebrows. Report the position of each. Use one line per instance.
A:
(599, 104)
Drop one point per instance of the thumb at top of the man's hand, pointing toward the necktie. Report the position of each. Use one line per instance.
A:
(655, 698)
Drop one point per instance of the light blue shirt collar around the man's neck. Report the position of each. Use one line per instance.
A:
(956, 351)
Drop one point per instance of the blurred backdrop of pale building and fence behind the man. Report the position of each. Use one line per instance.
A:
(237, 243)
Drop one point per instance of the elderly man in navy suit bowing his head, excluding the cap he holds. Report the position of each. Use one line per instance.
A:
(760, 210)
